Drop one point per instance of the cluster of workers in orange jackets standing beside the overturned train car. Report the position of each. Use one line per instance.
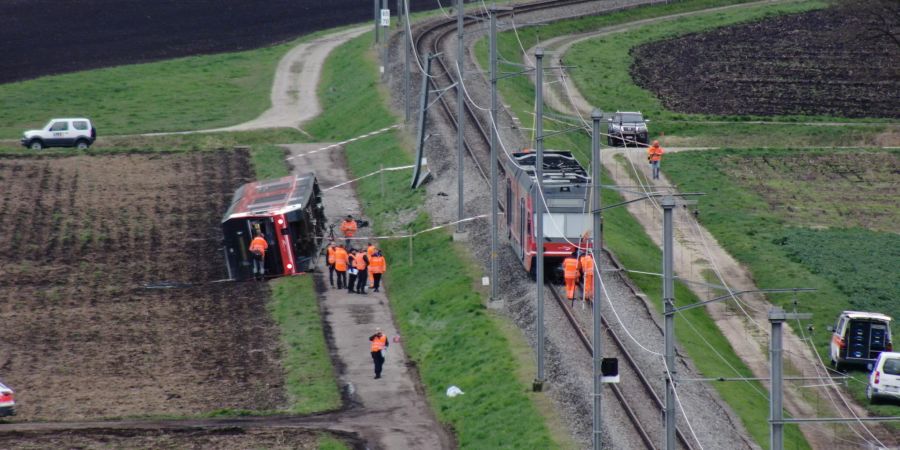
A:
(360, 266)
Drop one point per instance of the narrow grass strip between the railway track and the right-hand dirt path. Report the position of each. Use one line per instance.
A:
(696, 332)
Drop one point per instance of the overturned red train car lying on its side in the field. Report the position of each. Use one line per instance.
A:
(290, 215)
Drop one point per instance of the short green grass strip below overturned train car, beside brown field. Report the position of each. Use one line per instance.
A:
(310, 378)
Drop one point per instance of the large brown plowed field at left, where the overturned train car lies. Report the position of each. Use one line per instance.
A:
(85, 242)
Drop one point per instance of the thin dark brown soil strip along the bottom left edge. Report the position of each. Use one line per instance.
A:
(188, 438)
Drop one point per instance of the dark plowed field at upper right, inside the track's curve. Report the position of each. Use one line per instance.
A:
(830, 62)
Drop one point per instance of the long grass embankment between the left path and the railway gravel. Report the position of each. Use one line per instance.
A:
(448, 332)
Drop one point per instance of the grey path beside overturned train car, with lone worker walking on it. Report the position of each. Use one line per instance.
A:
(396, 413)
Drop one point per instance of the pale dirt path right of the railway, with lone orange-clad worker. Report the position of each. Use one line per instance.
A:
(698, 255)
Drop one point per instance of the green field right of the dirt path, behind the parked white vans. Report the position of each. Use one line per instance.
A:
(781, 251)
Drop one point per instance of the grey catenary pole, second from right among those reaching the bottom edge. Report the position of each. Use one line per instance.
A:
(668, 204)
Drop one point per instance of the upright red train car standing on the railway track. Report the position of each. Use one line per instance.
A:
(566, 221)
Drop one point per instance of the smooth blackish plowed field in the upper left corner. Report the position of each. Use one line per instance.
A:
(42, 37)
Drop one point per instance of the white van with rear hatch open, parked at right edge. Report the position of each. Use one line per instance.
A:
(858, 337)
